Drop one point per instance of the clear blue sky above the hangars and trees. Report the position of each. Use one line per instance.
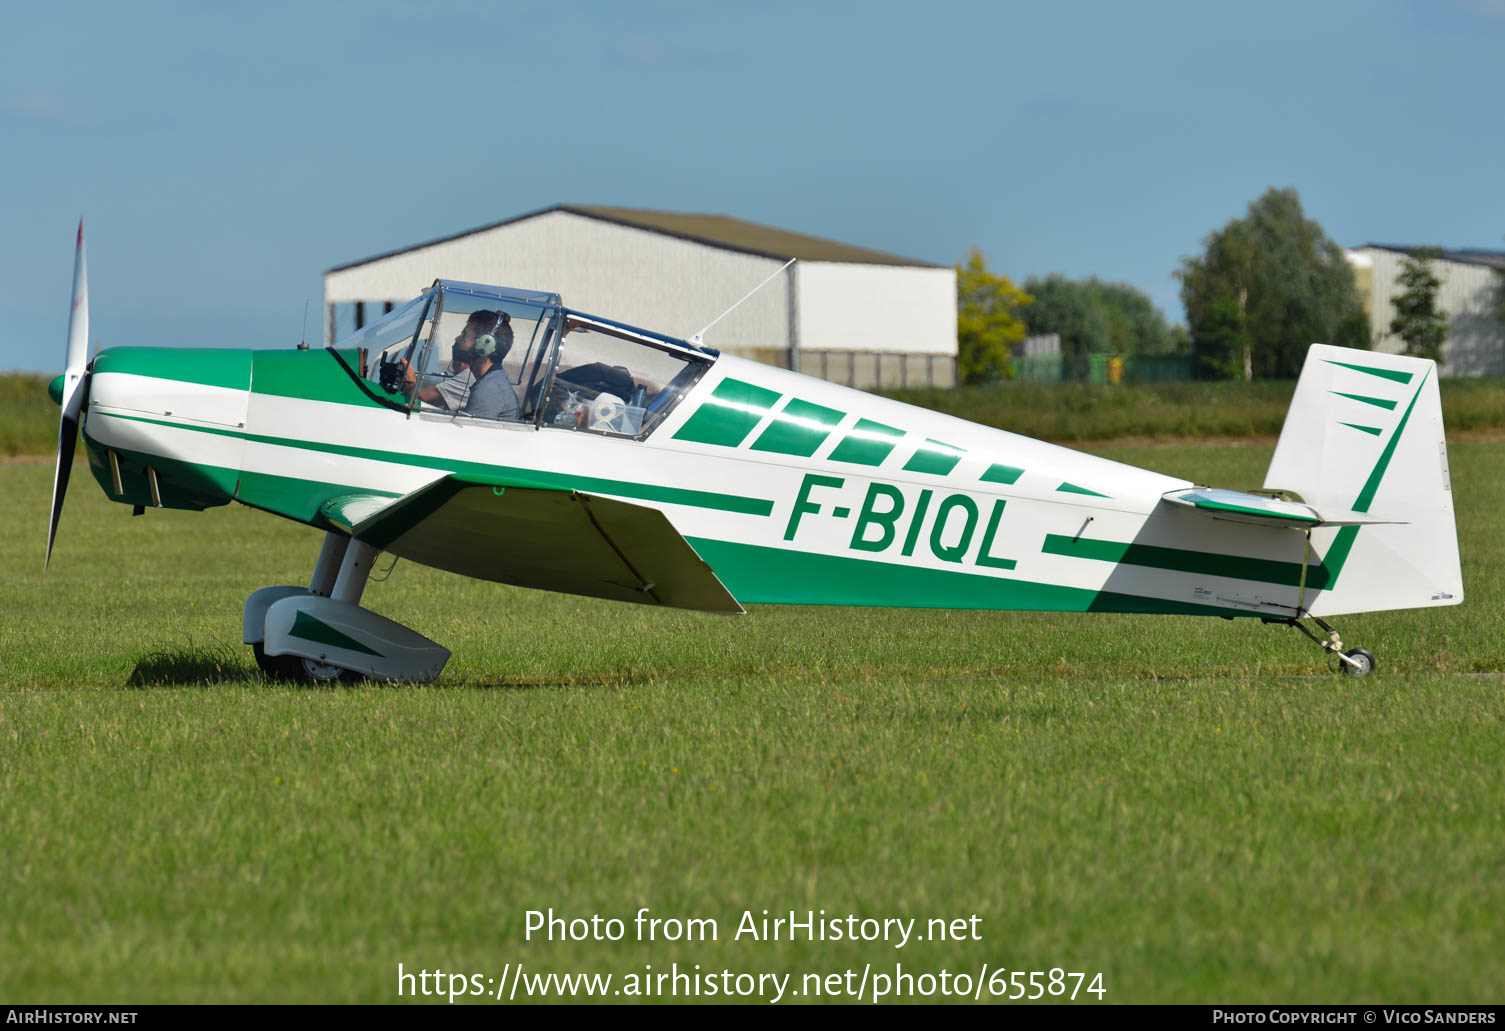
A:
(227, 156)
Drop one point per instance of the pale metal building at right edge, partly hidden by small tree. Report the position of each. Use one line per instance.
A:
(1476, 344)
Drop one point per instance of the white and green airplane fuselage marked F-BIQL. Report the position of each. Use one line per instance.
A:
(792, 488)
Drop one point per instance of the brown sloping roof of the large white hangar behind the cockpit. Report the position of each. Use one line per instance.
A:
(717, 231)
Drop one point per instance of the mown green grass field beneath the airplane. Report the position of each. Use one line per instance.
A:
(1197, 809)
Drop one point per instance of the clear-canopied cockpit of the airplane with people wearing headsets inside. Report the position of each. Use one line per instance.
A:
(484, 354)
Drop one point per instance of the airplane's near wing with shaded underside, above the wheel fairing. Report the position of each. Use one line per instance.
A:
(562, 541)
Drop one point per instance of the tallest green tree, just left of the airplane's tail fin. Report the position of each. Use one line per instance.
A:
(1265, 288)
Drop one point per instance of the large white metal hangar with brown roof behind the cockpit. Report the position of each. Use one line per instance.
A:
(848, 314)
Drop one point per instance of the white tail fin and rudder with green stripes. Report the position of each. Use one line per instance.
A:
(1366, 434)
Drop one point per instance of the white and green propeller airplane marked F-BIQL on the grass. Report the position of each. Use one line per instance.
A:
(576, 454)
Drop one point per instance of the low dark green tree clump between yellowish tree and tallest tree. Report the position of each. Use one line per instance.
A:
(1096, 318)
